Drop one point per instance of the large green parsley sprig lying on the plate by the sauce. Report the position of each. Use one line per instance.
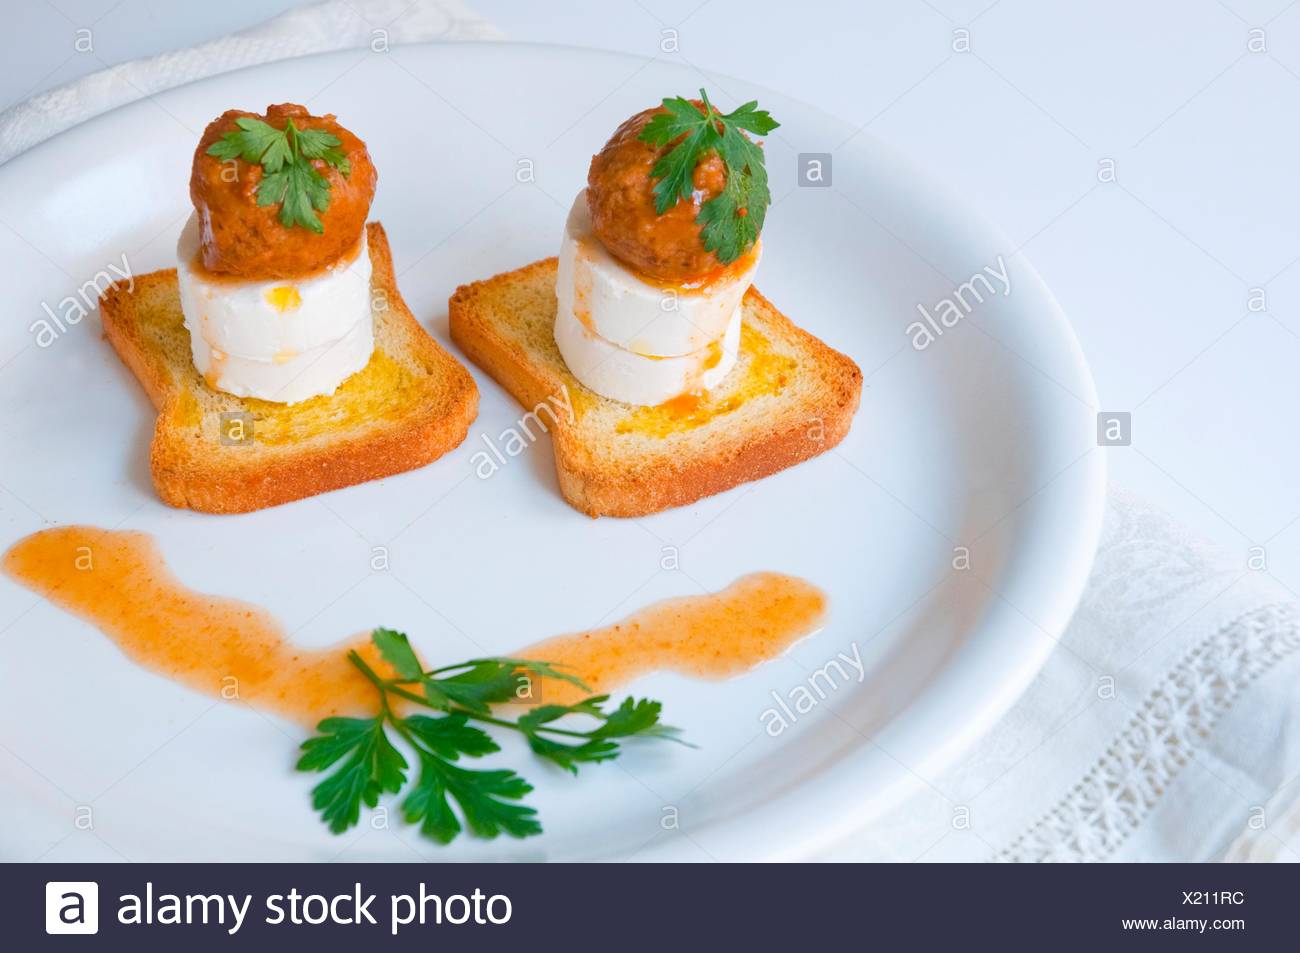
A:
(366, 764)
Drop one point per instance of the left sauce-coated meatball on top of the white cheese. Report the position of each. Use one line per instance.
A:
(248, 241)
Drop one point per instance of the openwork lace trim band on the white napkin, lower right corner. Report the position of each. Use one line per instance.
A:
(1124, 786)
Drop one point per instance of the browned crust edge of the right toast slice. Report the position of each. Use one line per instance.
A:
(640, 488)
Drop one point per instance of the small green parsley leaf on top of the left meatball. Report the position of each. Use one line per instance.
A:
(285, 157)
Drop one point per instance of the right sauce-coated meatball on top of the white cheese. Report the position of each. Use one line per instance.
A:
(621, 197)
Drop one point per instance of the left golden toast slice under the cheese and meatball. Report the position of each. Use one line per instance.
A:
(218, 453)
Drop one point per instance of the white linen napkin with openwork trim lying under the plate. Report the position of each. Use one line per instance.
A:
(1164, 727)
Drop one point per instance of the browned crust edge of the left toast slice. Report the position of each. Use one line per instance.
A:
(188, 470)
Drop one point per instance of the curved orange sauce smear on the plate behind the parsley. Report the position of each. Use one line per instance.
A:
(119, 582)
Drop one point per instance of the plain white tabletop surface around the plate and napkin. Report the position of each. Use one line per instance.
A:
(1155, 271)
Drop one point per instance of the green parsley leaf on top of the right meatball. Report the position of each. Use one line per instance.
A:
(734, 219)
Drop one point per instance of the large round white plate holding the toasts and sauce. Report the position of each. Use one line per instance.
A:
(982, 441)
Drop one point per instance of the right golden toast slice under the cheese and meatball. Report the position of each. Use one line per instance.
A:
(788, 398)
